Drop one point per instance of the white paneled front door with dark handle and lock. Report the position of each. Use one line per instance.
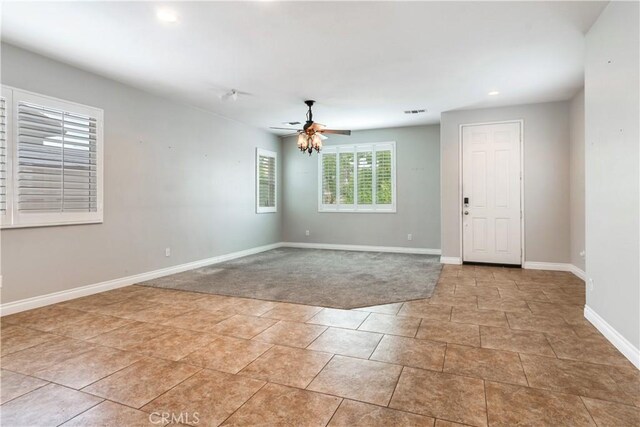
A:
(491, 216)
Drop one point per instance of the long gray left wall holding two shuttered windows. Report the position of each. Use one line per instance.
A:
(174, 176)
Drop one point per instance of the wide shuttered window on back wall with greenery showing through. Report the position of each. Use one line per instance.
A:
(357, 178)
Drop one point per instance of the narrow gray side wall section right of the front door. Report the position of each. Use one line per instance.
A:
(576, 153)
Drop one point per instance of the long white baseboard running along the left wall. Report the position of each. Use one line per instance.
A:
(56, 297)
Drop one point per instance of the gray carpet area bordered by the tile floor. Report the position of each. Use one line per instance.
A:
(338, 279)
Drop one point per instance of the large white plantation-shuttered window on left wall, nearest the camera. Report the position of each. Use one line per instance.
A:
(56, 162)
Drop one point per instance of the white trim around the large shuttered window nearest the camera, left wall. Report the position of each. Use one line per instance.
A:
(14, 218)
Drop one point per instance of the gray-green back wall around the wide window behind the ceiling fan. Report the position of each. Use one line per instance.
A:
(418, 194)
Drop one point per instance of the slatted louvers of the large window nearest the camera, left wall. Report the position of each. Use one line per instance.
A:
(56, 160)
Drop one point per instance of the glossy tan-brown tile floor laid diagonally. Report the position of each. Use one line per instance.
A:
(493, 346)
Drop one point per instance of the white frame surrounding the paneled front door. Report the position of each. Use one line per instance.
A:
(460, 204)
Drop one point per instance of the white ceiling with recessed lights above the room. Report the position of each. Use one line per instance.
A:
(365, 63)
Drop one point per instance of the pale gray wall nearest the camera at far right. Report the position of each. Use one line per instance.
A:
(612, 168)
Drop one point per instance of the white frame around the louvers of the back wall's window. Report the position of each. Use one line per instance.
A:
(355, 208)
